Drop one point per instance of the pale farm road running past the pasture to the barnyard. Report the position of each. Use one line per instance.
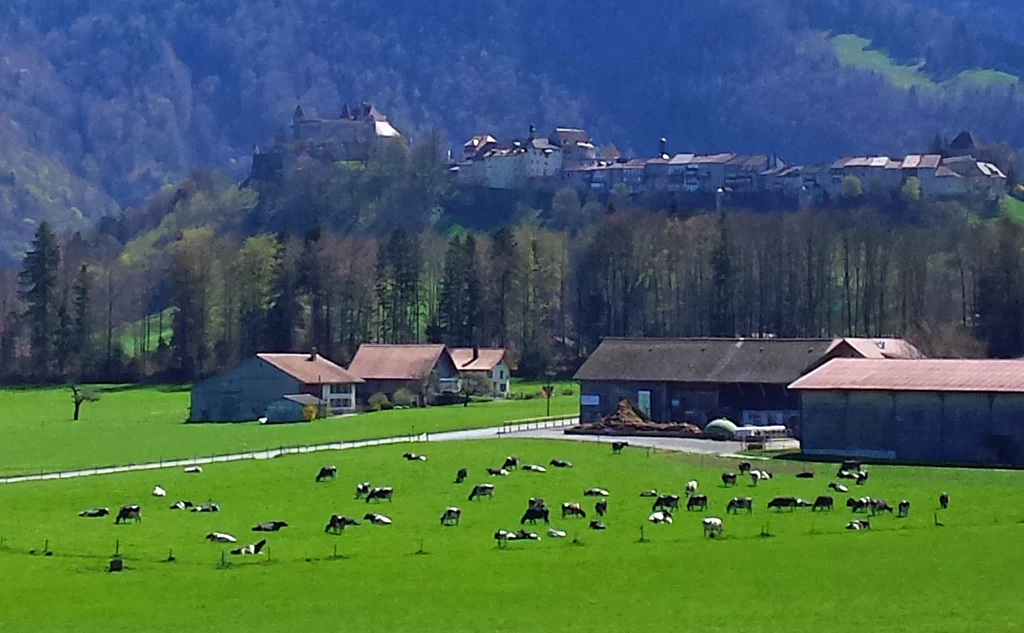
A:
(509, 431)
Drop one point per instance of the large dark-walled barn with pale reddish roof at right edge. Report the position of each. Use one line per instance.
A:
(920, 411)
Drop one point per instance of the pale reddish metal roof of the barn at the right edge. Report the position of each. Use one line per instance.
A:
(921, 375)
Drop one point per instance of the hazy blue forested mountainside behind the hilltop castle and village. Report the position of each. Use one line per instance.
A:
(104, 103)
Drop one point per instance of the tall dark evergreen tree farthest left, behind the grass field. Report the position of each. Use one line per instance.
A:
(39, 292)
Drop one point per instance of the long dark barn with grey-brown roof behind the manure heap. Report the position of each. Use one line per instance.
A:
(698, 381)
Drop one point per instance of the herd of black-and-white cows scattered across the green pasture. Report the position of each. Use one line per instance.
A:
(537, 510)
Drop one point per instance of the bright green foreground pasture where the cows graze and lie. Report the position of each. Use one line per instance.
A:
(812, 576)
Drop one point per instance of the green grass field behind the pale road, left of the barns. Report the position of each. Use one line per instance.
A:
(140, 425)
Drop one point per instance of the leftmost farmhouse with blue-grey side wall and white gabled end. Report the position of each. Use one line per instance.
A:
(245, 393)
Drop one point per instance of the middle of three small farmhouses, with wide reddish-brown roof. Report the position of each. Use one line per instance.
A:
(426, 371)
